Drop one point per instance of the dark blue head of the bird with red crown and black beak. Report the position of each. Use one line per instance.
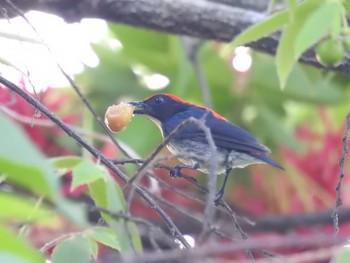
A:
(160, 107)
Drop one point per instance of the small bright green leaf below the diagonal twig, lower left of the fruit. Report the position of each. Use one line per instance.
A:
(86, 172)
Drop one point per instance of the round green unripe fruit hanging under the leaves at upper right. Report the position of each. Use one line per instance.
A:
(330, 52)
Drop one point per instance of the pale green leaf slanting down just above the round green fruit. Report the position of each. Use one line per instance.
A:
(316, 26)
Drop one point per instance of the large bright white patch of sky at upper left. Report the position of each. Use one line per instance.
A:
(69, 45)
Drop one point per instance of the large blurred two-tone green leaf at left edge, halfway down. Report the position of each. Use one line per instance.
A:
(22, 162)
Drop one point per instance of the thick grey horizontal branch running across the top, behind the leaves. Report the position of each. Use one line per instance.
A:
(215, 19)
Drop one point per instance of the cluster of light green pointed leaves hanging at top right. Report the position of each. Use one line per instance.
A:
(303, 24)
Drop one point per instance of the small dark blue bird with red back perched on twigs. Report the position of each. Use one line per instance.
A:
(235, 147)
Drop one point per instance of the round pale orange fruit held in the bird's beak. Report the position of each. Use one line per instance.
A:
(118, 116)
